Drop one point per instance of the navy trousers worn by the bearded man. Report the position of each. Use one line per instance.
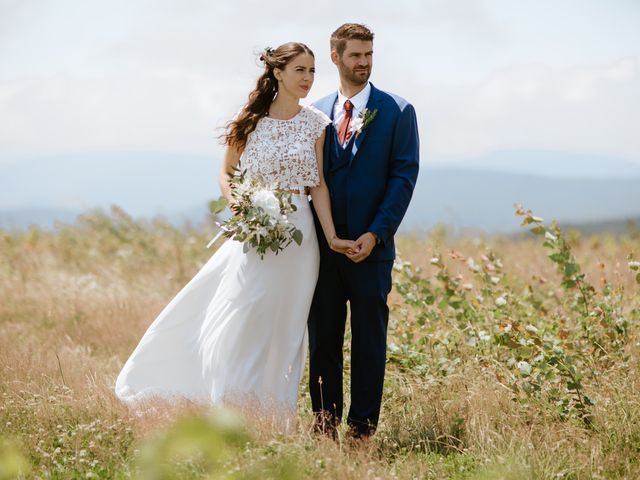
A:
(365, 286)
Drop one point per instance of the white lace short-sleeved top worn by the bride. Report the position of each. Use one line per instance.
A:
(282, 152)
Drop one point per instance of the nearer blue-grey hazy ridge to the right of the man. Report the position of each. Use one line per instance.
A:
(484, 200)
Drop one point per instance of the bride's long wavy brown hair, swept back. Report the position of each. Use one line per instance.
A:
(260, 99)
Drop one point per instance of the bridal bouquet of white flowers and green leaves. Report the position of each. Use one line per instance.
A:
(259, 216)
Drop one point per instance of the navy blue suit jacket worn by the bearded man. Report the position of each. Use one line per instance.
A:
(383, 172)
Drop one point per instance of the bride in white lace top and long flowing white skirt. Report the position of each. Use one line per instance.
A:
(236, 333)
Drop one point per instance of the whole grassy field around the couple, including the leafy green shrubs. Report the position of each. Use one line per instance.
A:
(509, 358)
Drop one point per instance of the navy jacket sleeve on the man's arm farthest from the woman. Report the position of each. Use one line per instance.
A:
(403, 173)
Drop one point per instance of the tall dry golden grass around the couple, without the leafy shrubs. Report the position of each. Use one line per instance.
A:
(74, 303)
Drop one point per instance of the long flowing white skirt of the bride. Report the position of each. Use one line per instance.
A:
(236, 333)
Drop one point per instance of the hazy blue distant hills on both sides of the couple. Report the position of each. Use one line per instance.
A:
(41, 190)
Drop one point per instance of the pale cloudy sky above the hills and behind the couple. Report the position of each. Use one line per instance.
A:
(163, 75)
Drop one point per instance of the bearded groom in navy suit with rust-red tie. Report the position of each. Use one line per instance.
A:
(371, 166)
